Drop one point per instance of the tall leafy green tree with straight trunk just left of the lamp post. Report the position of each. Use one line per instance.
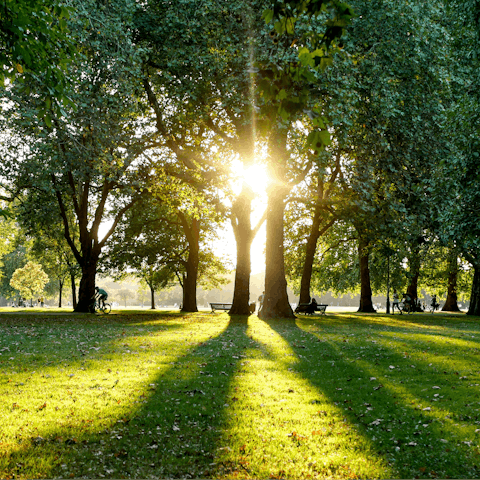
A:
(383, 131)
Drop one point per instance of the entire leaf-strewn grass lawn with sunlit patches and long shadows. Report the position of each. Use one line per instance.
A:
(147, 395)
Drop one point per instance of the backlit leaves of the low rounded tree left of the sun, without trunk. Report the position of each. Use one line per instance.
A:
(151, 244)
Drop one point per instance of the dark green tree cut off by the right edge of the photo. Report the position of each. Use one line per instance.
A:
(456, 183)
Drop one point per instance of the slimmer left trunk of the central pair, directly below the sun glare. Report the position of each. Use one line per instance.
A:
(242, 228)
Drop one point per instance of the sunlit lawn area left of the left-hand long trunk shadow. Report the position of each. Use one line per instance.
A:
(83, 382)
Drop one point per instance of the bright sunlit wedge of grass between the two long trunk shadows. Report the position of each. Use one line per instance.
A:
(277, 418)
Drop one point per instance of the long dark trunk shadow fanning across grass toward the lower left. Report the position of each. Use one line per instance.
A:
(171, 431)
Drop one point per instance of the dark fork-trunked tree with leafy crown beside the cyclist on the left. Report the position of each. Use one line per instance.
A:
(88, 161)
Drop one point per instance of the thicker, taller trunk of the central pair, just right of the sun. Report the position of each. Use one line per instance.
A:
(276, 304)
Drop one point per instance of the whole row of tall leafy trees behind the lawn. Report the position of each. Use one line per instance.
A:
(365, 115)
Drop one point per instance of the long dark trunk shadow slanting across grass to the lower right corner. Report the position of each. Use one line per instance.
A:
(407, 436)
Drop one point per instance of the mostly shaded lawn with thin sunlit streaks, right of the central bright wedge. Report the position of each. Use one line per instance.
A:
(417, 391)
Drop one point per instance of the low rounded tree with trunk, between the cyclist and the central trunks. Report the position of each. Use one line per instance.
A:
(161, 239)
